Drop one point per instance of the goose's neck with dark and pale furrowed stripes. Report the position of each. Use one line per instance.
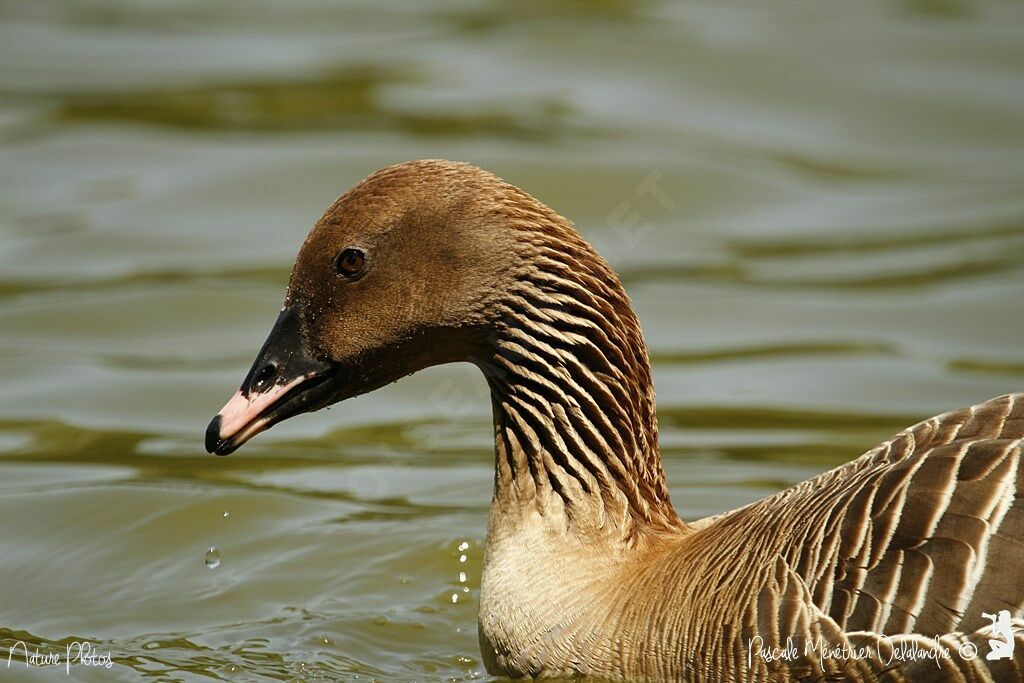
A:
(574, 401)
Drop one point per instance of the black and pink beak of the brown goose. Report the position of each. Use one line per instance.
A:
(286, 379)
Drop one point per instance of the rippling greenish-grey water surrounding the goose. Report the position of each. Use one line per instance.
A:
(818, 209)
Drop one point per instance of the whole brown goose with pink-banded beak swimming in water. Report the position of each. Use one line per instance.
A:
(903, 565)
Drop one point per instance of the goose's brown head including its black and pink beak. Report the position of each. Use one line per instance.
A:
(404, 272)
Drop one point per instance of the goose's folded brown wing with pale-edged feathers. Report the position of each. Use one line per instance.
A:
(924, 534)
